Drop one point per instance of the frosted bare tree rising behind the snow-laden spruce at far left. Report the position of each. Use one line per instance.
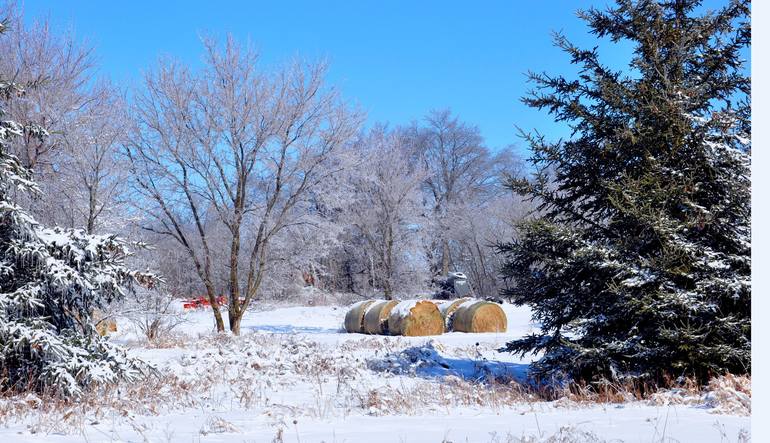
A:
(76, 165)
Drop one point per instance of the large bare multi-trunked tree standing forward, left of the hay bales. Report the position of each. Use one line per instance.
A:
(237, 147)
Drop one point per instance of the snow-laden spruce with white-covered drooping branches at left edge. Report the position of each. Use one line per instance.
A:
(50, 281)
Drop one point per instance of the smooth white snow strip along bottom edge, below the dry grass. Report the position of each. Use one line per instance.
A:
(623, 424)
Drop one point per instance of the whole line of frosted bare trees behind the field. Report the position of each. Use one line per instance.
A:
(255, 182)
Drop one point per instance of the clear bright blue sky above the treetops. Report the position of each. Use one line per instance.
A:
(396, 59)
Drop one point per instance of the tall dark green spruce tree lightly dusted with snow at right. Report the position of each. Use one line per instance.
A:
(637, 264)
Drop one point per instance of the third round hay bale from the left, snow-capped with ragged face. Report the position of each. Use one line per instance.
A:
(415, 318)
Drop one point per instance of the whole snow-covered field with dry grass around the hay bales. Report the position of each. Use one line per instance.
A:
(295, 377)
